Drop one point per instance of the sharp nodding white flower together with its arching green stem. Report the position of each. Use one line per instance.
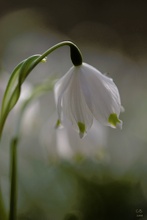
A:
(81, 95)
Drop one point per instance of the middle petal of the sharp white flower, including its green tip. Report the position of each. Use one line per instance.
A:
(74, 105)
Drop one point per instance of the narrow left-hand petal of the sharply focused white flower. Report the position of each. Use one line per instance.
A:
(60, 88)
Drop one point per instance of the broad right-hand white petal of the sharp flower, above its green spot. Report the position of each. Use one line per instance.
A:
(101, 94)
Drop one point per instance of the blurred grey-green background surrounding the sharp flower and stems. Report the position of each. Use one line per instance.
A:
(104, 175)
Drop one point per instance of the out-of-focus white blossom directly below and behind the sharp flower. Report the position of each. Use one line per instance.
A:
(64, 143)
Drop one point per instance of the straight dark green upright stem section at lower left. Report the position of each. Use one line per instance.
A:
(13, 189)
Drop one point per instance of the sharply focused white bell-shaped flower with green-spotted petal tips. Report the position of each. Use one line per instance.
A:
(84, 93)
